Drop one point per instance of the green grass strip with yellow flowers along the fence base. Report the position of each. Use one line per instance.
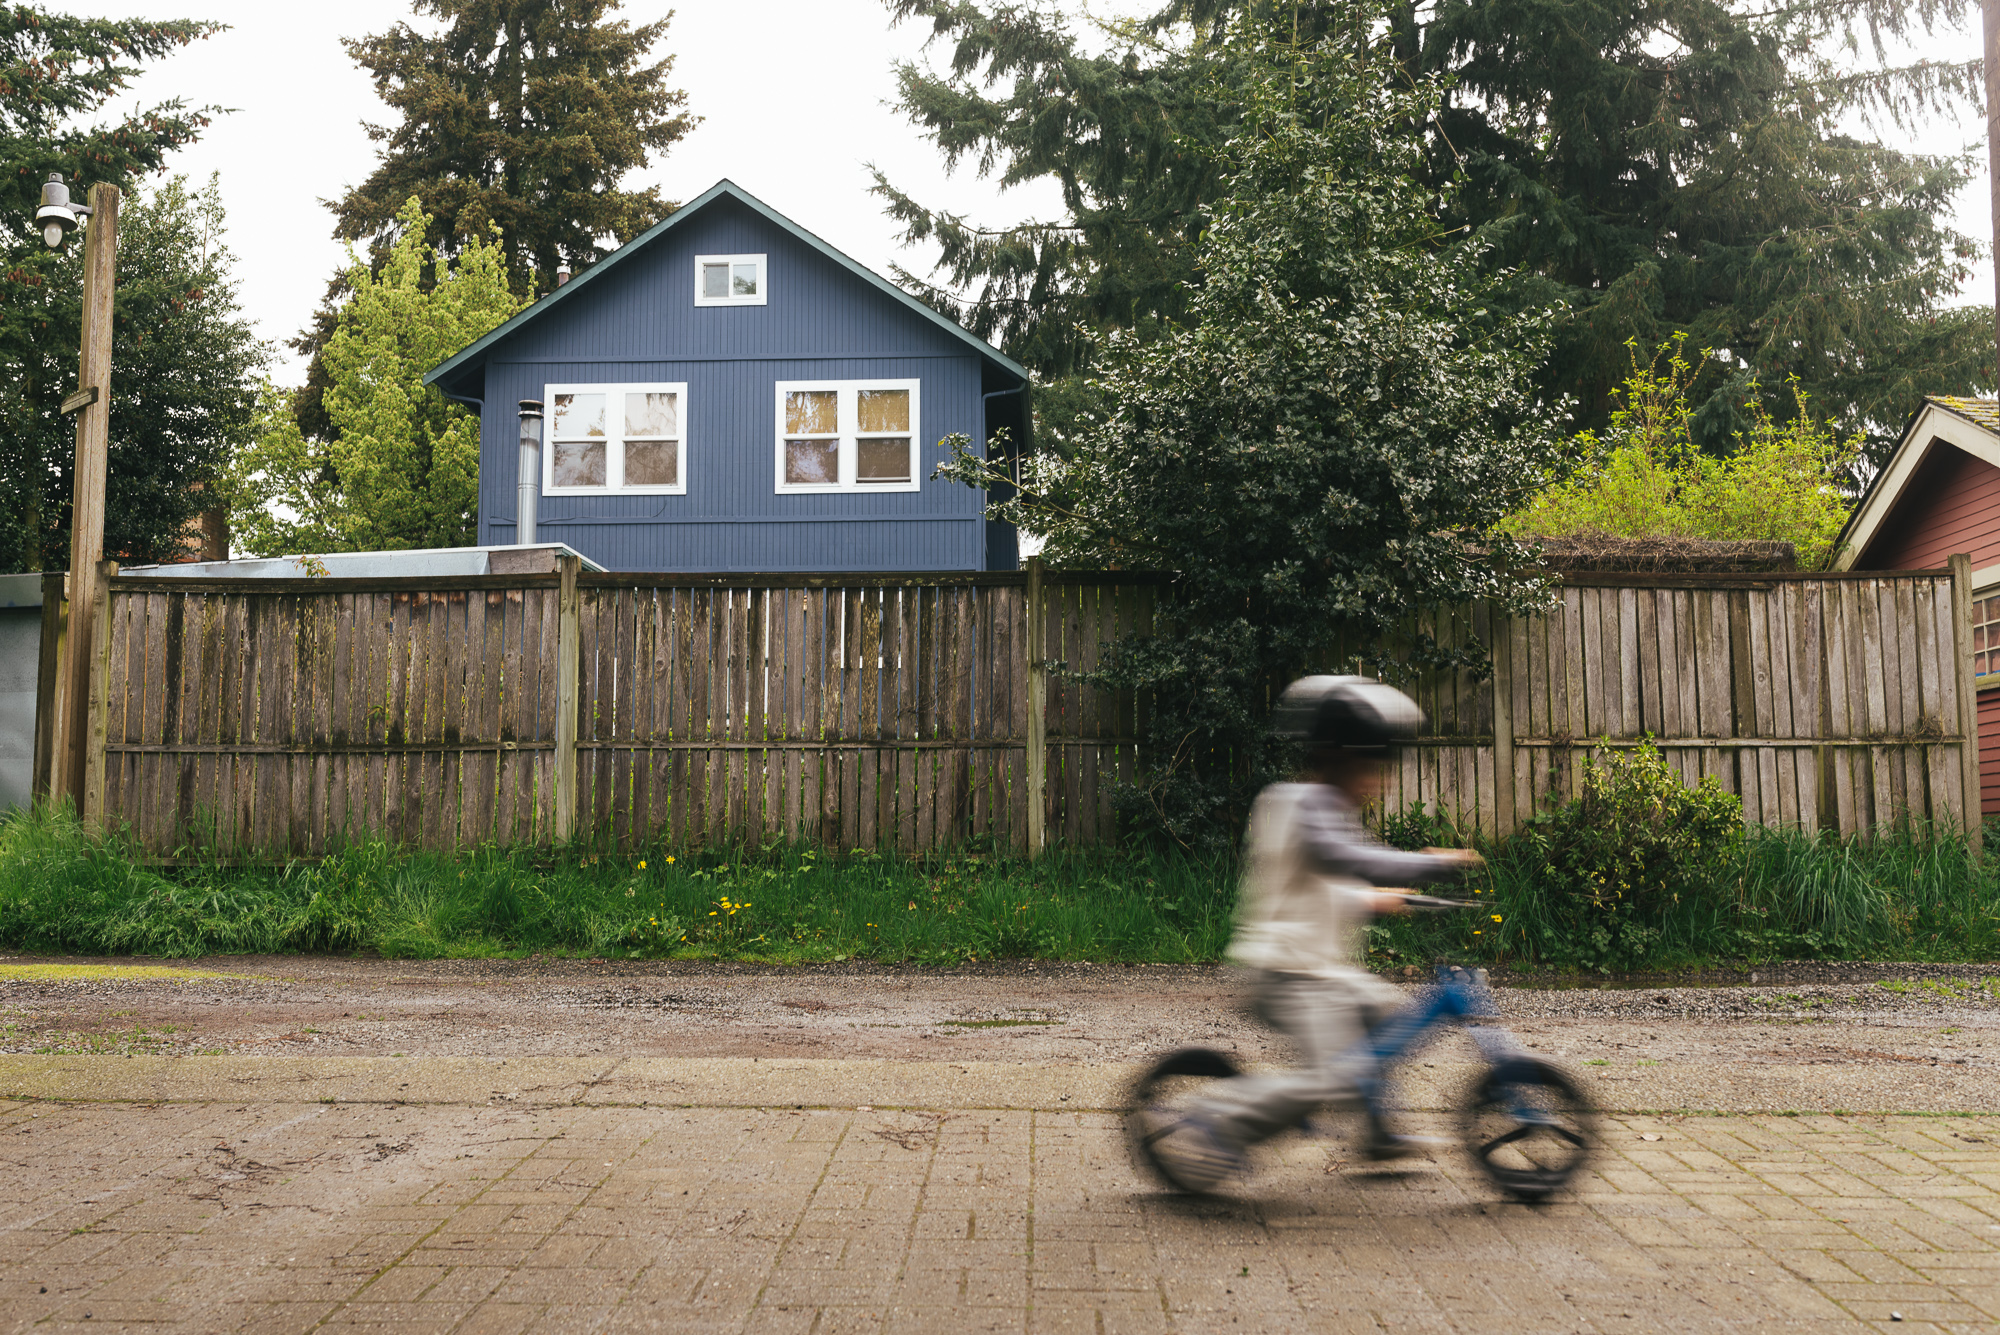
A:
(1911, 896)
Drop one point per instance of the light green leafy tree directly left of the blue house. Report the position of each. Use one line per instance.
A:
(405, 465)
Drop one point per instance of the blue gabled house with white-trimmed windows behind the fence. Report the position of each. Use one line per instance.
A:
(635, 321)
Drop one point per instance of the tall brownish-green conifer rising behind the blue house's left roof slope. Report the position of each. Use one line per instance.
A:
(525, 117)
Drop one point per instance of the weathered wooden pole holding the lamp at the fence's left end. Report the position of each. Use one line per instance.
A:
(93, 407)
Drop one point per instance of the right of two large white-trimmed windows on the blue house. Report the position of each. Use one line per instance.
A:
(849, 437)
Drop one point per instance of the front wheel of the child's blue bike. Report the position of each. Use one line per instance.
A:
(1531, 1128)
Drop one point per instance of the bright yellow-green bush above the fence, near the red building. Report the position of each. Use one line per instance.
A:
(1647, 475)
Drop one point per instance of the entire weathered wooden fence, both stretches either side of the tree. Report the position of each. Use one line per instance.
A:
(915, 712)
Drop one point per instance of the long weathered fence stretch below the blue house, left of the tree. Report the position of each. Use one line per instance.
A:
(859, 712)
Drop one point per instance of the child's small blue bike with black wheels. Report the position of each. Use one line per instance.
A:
(1527, 1122)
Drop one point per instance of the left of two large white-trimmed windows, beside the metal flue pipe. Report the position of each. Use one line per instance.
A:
(617, 439)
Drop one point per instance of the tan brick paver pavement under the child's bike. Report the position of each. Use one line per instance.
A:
(293, 1216)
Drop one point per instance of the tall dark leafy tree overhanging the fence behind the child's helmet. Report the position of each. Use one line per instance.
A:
(1319, 449)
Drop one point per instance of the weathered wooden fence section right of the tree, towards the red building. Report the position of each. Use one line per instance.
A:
(1827, 702)
